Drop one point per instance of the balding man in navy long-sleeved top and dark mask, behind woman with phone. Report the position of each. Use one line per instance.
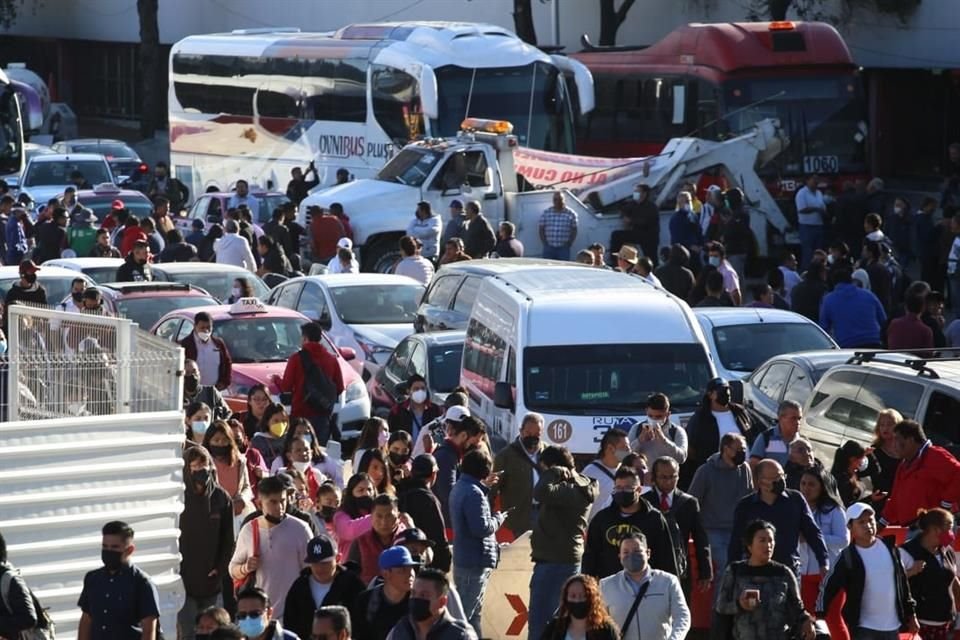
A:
(787, 510)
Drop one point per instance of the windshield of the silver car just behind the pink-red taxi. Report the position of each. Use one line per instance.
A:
(377, 304)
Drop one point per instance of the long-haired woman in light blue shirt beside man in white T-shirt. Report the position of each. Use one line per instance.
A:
(820, 492)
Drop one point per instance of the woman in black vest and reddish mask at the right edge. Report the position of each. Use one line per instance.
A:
(931, 566)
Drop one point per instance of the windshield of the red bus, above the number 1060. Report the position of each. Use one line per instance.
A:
(821, 115)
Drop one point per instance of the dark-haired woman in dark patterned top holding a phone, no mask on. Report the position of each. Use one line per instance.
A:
(761, 594)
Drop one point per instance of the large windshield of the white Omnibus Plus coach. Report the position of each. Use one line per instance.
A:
(512, 94)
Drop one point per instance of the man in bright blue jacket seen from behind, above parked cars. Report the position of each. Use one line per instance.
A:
(852, 315)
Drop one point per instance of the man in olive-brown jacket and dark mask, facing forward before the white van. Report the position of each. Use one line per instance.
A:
(518, 466)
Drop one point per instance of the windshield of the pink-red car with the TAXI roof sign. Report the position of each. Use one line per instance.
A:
(259, 339)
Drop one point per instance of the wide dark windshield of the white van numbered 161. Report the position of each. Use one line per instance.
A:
(613, 378)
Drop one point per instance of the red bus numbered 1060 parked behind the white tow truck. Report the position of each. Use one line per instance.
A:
(715, 81)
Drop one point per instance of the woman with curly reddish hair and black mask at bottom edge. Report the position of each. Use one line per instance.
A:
(582, 614)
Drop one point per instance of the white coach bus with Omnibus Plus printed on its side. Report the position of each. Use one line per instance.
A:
(253, 104)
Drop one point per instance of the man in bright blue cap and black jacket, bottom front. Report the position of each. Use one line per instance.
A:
(379, 608)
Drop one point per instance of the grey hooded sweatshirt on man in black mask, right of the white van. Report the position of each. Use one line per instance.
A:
(719, 488)
